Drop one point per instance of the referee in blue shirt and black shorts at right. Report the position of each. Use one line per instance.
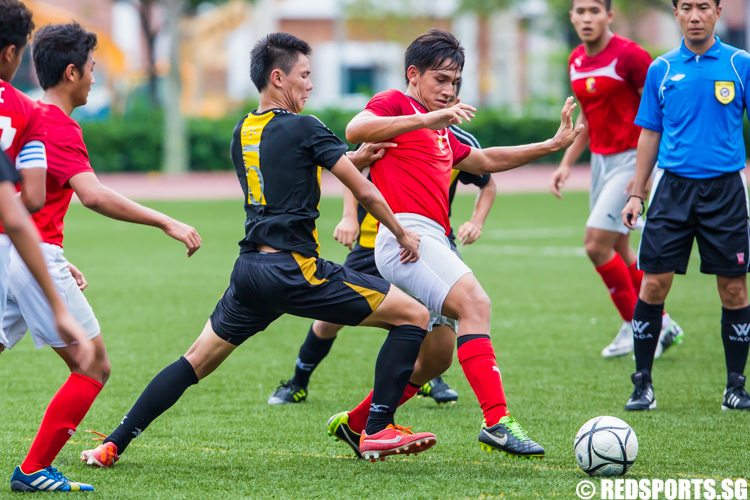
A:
(691, 113)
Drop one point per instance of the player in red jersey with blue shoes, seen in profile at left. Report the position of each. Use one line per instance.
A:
(64, 64)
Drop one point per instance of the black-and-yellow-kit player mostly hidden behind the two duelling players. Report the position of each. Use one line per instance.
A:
(357, 230)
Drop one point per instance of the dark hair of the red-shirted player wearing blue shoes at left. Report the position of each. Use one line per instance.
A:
(56, 46)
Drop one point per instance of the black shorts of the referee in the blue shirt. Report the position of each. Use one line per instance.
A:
(713, 211)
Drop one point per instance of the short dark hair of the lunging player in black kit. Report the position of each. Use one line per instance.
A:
(275, 51)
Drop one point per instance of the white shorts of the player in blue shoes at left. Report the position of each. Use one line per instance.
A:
(27, 308)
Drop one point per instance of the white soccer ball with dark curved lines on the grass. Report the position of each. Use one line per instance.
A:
(605, 446)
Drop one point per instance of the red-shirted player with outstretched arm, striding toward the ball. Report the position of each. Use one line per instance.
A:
(414, 177)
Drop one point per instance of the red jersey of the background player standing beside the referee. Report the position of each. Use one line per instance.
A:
(607, 85)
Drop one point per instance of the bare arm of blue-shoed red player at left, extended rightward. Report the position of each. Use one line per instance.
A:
(99, 198)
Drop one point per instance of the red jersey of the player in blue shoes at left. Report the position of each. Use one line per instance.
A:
(66, 157)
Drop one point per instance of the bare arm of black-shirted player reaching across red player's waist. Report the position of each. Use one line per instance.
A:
(370, 198)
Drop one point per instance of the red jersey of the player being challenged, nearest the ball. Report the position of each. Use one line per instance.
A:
(415, 176)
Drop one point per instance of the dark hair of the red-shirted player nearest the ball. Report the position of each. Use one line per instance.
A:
(431, 50)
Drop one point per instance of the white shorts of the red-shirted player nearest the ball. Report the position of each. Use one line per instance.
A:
(430, 278)
